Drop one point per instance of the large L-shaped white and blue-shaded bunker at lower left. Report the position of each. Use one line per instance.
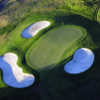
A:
(12, 74)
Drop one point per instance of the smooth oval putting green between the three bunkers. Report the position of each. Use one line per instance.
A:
(50, 48)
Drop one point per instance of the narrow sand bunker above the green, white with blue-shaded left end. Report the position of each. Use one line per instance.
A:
(32, 30)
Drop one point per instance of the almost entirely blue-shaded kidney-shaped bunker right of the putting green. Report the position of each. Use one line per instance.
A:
(81, 62)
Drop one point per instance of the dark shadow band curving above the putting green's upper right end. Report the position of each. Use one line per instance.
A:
(92, 27)
